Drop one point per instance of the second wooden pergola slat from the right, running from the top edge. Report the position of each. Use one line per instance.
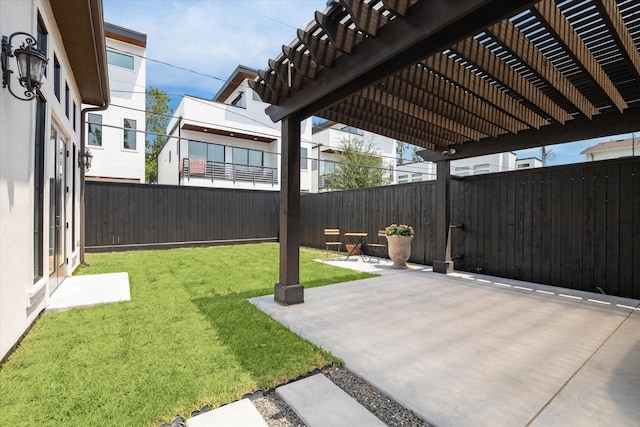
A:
(565, 34)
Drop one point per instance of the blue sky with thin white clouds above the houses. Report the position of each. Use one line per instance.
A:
(213, 37)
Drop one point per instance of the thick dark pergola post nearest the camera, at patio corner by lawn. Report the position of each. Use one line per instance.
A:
(288, 290)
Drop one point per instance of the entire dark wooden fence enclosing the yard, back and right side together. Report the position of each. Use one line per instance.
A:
(574, 226)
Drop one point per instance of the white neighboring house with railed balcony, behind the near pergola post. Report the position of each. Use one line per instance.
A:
(228, 141)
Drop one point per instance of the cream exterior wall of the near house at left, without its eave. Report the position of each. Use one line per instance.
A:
(24, 291)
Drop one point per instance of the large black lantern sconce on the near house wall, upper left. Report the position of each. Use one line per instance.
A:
(31, 64)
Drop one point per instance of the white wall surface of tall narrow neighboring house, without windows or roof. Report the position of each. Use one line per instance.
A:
(112, 161)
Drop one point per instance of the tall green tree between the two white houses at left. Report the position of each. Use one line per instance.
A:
(157, 118)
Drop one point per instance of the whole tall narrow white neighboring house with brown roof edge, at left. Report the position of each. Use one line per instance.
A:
(116, 136)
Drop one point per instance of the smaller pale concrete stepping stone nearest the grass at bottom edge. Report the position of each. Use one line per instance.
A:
(237, 414)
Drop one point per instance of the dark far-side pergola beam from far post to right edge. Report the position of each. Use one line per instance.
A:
(608, 124)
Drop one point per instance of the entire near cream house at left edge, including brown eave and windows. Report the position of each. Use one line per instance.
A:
(40, 141)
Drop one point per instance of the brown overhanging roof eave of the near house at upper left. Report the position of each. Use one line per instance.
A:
(81, 26)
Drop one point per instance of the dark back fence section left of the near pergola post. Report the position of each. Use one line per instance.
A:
(135, 216)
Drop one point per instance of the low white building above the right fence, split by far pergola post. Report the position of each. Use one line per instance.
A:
(426, 171)
